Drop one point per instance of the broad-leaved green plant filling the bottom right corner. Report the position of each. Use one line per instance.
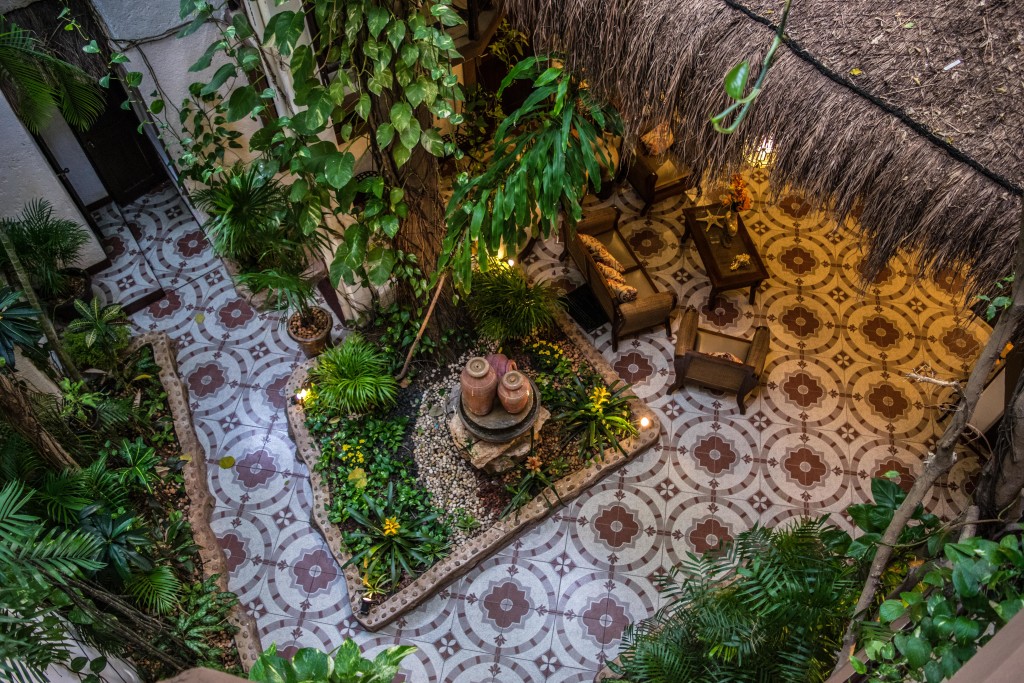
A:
(955, 610)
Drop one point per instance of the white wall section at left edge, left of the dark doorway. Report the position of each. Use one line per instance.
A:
(28, 176)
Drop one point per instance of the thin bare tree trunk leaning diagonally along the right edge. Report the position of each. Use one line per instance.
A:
(945, 456)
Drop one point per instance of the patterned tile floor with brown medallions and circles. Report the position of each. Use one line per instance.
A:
(834, 410)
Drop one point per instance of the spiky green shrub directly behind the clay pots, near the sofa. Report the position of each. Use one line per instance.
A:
(506, 307)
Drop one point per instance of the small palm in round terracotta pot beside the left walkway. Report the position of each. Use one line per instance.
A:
(309, 325)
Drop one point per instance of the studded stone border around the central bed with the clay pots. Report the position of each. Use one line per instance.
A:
(495, 538)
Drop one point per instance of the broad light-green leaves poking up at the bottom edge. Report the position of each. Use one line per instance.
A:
(345, 665)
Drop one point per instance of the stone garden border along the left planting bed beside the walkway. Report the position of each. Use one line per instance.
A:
(215, 562)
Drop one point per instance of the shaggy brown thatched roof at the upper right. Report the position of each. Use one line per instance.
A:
(871, 113)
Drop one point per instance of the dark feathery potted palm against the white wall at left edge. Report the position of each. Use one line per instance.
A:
(49, 247)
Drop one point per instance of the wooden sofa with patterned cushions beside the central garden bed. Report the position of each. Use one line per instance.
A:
(652, 308)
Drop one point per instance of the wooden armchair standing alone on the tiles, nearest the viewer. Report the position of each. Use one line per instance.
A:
(695, 362)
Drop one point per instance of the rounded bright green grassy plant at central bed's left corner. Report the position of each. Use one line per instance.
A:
(353, 377)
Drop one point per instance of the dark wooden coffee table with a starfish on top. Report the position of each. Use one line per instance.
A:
(717, 258)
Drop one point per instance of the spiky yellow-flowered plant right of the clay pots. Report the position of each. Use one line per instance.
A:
(596, 415)
